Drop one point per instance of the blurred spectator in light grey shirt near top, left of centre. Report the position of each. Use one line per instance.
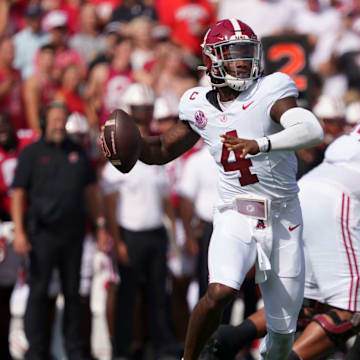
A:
(88, 42)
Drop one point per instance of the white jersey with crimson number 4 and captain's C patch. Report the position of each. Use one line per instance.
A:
(271, 174)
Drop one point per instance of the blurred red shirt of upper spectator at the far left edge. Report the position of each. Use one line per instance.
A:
(12, 101)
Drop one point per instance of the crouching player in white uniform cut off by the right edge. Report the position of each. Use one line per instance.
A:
(330, 314)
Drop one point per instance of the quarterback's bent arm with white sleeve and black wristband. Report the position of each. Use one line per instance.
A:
(301, 130)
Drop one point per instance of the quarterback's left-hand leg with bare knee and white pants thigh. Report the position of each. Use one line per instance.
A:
(232, 253)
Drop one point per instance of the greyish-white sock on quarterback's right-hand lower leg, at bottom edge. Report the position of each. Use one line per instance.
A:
(276, 346)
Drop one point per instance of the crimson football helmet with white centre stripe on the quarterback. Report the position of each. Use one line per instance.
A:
(232, 54)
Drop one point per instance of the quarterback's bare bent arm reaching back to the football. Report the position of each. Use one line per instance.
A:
(169, 145)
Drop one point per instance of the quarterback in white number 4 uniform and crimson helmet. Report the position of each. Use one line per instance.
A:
(252, 125)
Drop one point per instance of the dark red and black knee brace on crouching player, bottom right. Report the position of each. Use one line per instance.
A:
(341, 330)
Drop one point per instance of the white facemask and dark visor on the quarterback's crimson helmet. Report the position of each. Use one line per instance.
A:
(234, 63)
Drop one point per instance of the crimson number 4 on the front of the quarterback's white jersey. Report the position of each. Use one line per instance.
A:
(243, 165)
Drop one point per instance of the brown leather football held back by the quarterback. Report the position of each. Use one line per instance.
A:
(121, 140)
